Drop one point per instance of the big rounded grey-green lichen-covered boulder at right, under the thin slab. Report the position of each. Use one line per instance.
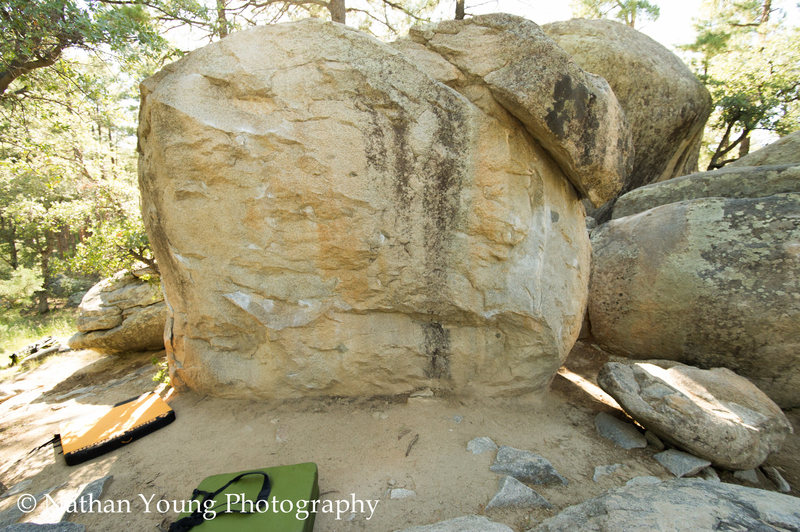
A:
(711, 282)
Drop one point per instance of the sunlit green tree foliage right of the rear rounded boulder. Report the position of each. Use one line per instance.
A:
(749, 60)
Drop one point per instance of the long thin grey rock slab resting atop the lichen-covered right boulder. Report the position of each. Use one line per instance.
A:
(728, 182)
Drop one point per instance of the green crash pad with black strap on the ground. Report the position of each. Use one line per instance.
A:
(293, 487)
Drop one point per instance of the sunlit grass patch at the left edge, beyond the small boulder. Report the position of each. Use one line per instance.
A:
(20, 328)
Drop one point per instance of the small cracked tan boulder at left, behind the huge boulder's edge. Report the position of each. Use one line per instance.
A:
(123, 313)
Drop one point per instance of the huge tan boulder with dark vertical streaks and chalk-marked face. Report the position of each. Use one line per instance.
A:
(329, 219)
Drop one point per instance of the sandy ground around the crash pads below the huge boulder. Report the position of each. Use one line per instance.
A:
(363, 448)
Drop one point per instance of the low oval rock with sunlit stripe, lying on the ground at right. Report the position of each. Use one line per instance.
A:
(713, 414)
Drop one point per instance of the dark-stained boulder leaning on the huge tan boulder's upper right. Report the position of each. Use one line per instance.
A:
(573, 114)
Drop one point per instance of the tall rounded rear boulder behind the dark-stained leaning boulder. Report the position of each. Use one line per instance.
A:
(663, 100)
